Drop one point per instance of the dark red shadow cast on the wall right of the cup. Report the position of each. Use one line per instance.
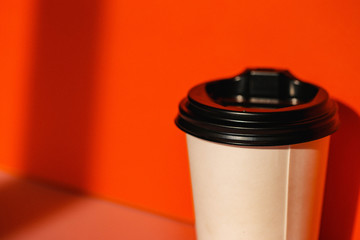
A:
(343, 179)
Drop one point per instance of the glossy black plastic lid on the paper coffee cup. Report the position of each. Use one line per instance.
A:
(259, 107)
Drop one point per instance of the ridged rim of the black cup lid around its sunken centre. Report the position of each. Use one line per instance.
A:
(202, 117)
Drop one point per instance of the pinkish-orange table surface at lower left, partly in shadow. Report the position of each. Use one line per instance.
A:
(31, 210)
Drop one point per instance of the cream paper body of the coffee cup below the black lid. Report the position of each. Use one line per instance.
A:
(257, 193)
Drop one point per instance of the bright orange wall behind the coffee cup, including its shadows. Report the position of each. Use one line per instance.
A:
(90, 90)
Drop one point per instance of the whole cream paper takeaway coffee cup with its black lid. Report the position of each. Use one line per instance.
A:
(258, 146)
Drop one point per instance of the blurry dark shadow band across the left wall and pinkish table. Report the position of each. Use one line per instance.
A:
(61, 95)
